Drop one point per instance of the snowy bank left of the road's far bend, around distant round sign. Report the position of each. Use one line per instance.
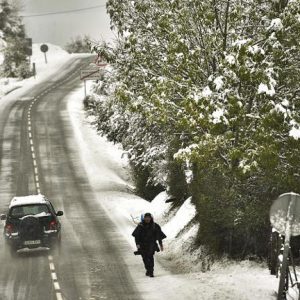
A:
(56, 57)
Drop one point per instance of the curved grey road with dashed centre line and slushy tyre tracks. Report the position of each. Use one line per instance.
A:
(36, 153)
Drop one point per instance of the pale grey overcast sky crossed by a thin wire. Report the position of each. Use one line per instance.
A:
(59, 29)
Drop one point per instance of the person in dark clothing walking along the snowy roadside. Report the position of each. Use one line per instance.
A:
(146, 235)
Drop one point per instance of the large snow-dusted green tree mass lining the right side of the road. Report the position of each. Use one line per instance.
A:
(211, 87)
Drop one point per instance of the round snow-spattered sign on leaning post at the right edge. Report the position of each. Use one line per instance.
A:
(285, 218)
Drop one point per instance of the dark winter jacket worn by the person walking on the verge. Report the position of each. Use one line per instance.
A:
(146, 236)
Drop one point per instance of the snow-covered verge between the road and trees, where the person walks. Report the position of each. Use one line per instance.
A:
(225, 280)
